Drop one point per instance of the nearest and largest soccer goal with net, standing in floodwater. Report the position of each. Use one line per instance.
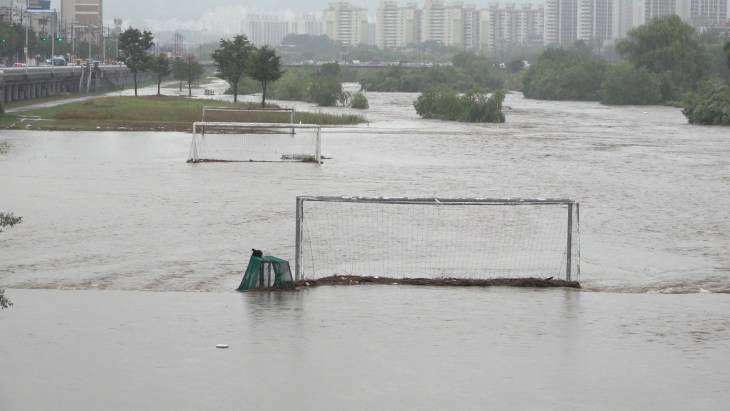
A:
(437, 238)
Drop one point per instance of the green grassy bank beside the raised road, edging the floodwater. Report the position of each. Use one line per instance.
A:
(150, 114)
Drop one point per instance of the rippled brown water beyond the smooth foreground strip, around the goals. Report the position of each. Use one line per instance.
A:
(124, 210)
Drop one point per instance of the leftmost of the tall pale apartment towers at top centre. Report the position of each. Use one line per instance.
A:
(346, 24)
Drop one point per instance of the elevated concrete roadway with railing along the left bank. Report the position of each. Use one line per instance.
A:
(18, 84)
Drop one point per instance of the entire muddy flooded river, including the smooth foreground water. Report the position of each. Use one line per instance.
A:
(109, 213)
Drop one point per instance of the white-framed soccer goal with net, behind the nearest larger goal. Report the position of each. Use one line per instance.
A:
(255, 142)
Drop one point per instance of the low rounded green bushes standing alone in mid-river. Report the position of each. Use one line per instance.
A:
(473, 107)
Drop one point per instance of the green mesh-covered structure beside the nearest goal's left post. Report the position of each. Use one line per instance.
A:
(266, 273)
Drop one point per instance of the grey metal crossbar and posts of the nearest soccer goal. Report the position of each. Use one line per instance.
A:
(573, 218)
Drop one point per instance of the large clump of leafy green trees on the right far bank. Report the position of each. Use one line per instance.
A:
(663, 61)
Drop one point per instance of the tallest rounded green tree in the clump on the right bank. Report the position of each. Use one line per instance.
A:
(669, 48)
